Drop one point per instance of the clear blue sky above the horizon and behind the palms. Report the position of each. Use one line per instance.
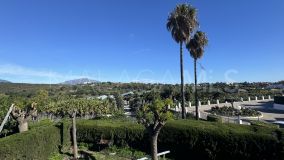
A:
(49, 41)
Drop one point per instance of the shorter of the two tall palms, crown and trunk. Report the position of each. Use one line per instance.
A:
(196, 47)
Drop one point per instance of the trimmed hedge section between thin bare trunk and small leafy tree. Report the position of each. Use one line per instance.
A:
(122, 133)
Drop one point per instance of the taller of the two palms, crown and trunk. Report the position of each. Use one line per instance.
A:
(181, 23)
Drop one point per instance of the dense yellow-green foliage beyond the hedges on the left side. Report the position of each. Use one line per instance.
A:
(55, 108)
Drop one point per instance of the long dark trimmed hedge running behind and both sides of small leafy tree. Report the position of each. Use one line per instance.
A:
(187, 139)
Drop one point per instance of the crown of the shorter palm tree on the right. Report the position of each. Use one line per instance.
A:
(197, 44)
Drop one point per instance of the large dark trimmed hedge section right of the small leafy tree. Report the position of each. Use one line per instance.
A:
(210, 140)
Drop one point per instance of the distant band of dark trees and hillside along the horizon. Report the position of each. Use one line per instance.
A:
(206, 91)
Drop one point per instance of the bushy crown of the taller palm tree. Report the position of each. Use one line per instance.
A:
(182, 22)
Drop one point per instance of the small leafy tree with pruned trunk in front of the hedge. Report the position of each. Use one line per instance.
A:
(154, 116)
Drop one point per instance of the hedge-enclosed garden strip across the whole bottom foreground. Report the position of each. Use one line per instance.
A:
(129, 140)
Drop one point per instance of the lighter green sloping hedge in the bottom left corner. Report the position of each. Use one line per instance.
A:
(38, 143)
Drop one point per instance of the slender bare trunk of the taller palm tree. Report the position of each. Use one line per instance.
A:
(182, 83)
